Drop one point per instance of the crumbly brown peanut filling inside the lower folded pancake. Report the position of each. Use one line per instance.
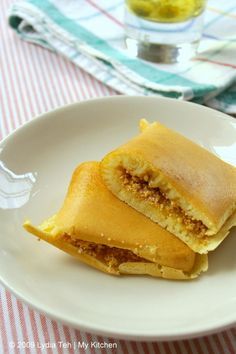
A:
(112, 256)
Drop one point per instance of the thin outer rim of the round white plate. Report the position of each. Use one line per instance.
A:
(180, 334)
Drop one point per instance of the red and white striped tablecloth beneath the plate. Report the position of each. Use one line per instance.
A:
(32, 81)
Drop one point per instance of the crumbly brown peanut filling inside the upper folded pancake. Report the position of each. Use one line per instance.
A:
(142, 188)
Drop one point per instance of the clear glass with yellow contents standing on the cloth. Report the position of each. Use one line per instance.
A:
(166, 31)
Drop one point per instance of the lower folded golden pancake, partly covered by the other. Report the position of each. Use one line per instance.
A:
(100, 230)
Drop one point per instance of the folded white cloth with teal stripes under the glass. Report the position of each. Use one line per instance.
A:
(90, 33)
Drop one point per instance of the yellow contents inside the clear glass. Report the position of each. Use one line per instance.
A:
(166, 10)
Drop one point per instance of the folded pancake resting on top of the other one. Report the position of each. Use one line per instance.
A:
(176, 183)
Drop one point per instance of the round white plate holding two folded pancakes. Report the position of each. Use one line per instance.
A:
(41, 157)
